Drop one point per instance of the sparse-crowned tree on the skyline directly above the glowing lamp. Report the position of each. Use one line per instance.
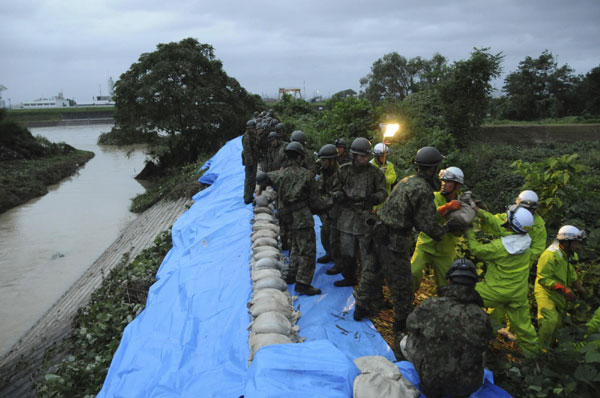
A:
(395, 77)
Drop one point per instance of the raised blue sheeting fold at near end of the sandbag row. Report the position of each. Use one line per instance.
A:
(294, 371)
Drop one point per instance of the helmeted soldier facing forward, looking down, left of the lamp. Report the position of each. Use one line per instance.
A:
(357, 187)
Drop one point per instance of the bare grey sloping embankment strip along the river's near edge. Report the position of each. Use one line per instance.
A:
(18, 366)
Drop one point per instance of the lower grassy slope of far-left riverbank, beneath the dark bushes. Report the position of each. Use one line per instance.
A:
(24, 179)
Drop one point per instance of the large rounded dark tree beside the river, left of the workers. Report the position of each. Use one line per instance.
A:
(181, 90)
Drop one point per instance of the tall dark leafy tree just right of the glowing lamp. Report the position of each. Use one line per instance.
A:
(465, 94)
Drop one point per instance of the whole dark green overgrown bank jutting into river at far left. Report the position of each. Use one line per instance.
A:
(29, 164)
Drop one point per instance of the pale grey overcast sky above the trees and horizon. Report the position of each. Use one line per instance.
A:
(324, 45)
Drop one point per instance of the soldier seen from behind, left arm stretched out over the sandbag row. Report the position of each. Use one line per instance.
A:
(296, 191)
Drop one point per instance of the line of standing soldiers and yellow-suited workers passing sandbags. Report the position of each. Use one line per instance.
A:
(368, 218)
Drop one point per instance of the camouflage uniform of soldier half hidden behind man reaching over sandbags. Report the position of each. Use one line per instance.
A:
(330, 237)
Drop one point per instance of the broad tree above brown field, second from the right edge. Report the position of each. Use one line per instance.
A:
(540, 89)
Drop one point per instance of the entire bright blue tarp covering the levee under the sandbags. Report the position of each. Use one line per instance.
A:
(191, 339)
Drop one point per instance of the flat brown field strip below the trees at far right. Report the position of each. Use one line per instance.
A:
(537, 134)
